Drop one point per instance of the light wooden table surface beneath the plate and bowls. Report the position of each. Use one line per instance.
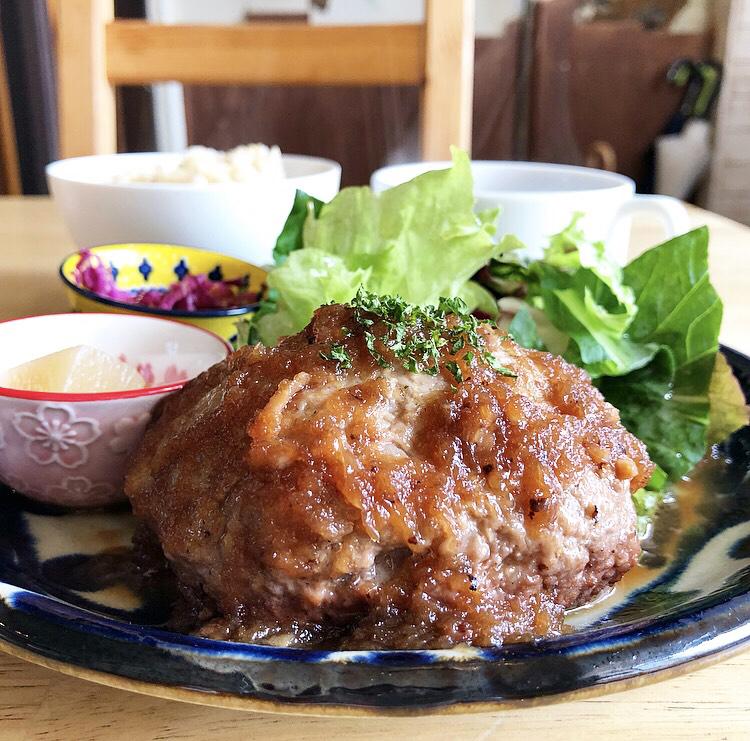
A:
(37, 703)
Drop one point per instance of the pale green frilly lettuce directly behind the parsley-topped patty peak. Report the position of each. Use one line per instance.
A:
(420, 241)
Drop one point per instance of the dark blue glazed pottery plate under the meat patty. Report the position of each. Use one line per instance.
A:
(69, 599)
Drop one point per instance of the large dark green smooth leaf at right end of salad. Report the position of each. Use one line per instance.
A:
(666, 404)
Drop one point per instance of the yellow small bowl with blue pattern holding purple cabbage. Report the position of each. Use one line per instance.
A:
(138, 266)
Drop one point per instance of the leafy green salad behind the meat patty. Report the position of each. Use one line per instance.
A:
(647, 334)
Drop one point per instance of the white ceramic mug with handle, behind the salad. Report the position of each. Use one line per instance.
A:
(537, 200)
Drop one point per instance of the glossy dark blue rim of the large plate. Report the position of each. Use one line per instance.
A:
(293, 679)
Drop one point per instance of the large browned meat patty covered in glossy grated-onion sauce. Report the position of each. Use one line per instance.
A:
(302, 501)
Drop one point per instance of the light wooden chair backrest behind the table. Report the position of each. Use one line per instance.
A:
(96, 53)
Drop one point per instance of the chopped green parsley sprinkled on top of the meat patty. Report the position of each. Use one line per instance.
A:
(415, 335)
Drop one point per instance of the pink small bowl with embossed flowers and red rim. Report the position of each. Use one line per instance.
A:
(73, 449)
